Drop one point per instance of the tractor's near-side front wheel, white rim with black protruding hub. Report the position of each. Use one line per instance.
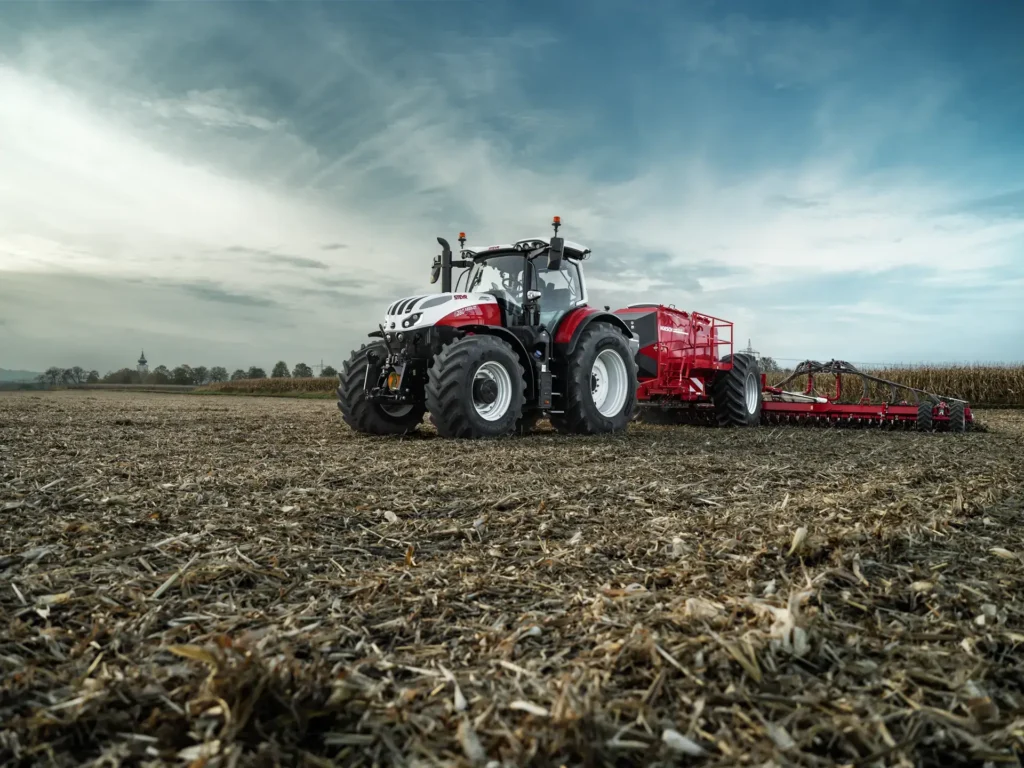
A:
(477, 388)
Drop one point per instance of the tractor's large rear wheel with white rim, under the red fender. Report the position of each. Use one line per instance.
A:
(602, 385)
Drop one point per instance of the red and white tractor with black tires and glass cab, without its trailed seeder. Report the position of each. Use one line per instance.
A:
(514, 343)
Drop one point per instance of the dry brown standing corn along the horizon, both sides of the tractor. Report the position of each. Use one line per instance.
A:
(979, 386)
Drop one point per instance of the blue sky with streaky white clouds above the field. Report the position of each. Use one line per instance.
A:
(236, 184)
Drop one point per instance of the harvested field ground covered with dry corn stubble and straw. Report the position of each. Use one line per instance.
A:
(221, 581)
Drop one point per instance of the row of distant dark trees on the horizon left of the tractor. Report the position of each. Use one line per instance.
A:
(184, 375)
